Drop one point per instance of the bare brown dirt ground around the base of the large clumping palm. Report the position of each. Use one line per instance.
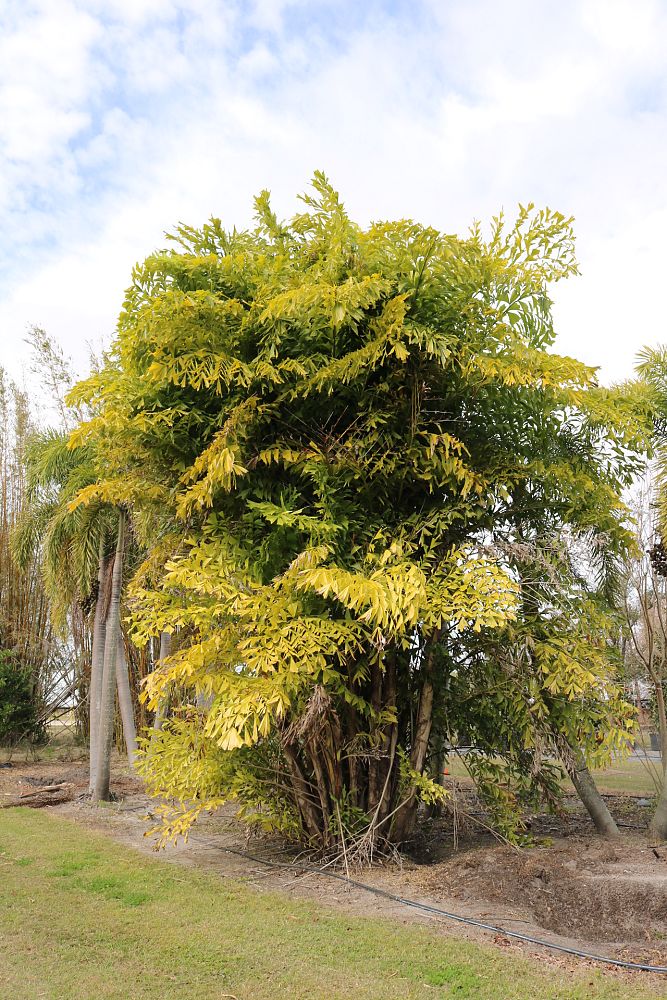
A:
(571, 888)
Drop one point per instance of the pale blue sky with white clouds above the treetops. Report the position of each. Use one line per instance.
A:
(121, 118)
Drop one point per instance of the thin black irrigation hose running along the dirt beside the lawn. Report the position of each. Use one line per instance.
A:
(637, 966)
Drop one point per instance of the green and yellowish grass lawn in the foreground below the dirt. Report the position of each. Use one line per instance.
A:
(81, 917)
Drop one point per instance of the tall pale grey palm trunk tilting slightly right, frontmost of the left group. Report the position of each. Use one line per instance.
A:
(103, 769)
